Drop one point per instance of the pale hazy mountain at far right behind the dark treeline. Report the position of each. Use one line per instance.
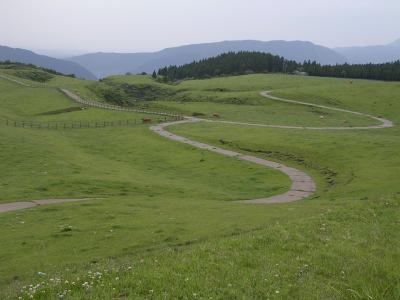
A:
(371, 54)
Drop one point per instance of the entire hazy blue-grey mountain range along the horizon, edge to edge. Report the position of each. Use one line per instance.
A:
(99, 65)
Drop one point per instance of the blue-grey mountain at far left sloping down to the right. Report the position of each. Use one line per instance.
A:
(63, 66)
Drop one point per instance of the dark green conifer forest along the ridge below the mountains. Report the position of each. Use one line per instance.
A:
(239, 63)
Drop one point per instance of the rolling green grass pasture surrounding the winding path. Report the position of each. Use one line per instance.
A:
(166, 225)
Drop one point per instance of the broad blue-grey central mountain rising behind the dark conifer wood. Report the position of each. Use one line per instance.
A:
(106, 64)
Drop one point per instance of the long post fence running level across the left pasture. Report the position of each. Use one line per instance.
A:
(85, 124)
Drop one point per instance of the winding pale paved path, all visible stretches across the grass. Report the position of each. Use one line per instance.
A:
(302, 184)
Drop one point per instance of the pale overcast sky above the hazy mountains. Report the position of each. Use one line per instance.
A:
(77, 26)
